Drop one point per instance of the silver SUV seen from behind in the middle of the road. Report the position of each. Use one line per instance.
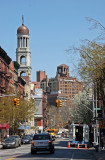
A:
(42, 142)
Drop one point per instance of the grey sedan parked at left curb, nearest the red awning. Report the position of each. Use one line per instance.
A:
(10, 142)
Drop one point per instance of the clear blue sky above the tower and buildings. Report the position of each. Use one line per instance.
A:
(54, 26)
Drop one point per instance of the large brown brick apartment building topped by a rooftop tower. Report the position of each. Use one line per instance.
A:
(63, 87)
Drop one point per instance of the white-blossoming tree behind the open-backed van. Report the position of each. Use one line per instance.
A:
(82, 110)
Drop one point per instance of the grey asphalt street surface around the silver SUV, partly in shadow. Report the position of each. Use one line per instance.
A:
(62, 152)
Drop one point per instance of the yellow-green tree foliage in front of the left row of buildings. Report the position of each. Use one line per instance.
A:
(13, 115)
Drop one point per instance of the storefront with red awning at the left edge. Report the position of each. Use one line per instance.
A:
(4, 131)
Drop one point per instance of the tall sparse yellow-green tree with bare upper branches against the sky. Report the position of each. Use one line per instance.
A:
(91, 66)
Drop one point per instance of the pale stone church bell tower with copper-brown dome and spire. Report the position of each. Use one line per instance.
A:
(23, 56)
